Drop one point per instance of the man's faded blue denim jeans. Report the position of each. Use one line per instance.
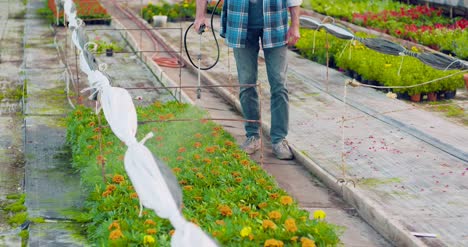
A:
(247, 70)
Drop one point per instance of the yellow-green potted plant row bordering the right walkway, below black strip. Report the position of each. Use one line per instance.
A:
(374, 67)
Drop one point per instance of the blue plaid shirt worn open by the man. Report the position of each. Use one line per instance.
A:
(234, 21)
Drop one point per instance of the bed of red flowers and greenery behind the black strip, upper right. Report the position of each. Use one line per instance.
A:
(420, 24)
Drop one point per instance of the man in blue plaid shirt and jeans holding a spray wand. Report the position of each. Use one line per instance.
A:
(244, 23)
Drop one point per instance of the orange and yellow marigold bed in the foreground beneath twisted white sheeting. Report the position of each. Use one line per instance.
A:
(224, 192)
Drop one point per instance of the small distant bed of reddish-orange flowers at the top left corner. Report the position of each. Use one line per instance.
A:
(90, 11)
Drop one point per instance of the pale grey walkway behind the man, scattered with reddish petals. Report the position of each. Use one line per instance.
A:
(408, 168)
